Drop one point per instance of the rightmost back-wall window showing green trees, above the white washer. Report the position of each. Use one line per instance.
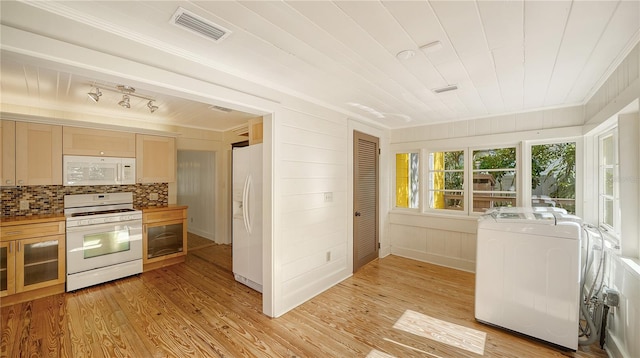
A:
(553, 175)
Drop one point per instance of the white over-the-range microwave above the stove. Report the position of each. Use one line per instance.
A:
(86, 170)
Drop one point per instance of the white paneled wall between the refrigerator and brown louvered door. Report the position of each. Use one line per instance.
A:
(311, 159)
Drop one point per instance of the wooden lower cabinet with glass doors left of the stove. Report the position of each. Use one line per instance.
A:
(32, 261)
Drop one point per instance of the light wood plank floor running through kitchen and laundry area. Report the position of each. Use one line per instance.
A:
(196, 309)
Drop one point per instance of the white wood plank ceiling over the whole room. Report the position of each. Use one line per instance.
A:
(504, 56)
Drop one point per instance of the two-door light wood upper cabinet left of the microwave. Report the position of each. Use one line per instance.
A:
(37, 154)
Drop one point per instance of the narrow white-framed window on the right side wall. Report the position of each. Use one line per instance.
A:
(607, 177)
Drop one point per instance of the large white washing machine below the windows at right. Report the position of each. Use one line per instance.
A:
(528, 273)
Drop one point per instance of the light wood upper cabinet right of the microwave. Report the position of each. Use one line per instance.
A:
(155, 159)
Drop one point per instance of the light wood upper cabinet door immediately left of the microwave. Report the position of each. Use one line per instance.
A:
(38, 154)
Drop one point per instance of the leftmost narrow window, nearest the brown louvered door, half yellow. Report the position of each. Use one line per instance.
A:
(407, 180)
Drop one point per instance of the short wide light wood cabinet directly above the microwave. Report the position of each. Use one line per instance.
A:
(97, 142)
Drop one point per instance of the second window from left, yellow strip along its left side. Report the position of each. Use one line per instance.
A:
(446, 180)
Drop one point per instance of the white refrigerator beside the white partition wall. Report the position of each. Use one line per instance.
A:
(247, 216)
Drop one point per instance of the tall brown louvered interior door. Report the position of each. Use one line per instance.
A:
(365, 199)
